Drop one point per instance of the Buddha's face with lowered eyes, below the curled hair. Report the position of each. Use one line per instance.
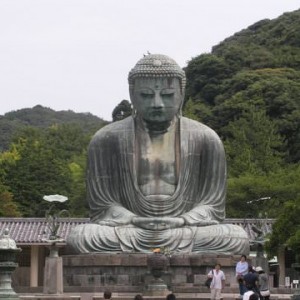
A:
(157, 100)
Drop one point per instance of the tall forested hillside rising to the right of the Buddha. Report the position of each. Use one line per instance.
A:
(248, 90)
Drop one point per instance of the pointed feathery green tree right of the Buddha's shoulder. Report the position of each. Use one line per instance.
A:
(252, 144)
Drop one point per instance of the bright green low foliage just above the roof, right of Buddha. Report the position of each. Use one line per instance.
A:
(281, 186)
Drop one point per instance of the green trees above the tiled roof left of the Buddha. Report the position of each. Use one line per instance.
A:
(45, 166)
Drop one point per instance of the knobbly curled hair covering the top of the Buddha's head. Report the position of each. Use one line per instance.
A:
(157, 66)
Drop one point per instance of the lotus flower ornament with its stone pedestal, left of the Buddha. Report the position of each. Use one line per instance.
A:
(53, 274)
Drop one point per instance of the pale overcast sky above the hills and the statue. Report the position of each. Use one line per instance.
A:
(76, 54)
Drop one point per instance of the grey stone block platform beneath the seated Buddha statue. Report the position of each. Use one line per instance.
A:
(128, 273)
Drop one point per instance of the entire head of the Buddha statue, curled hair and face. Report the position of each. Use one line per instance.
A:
(156, 86)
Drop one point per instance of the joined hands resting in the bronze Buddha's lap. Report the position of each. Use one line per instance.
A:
(157, 223)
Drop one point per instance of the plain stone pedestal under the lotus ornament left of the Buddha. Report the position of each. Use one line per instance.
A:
(53, 276)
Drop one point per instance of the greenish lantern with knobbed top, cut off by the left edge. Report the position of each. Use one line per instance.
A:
(8, 253)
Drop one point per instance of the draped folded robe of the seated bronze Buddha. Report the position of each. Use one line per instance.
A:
(199, 196)
